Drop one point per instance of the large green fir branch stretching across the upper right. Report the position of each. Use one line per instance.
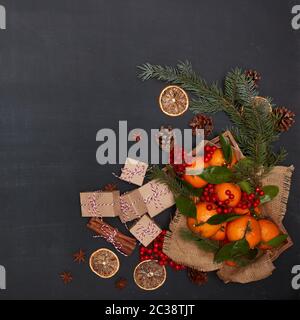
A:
(254, 126)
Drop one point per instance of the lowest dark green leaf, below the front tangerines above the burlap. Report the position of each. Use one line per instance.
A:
(232, 250)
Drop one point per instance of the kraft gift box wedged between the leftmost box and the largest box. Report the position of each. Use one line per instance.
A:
(132, 206)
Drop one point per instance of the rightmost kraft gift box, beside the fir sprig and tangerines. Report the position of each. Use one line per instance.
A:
(157, 197)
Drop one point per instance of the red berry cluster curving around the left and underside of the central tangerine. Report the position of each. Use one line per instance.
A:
(209, 195)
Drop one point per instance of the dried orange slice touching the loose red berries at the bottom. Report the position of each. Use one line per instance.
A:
(149, 275)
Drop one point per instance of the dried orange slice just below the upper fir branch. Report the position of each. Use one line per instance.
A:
(173, 101)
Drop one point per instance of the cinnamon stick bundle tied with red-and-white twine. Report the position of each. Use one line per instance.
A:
(120, 241)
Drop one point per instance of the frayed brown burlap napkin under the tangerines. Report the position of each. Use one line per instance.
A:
(189, 254)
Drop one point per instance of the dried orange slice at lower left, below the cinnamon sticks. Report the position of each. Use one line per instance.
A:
(104, 263)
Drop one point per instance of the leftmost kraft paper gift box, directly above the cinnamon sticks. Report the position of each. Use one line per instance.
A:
(100, 204)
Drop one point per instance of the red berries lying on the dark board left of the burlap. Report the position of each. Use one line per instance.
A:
(156, 253)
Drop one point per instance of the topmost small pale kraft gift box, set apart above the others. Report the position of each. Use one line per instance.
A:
(134, 171)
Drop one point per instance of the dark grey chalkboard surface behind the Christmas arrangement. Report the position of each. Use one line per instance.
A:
(68, 69)
